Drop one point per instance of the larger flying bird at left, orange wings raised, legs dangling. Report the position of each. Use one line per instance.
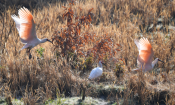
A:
(26, 27)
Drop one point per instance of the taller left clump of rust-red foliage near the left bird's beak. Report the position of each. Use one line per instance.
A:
(69, 39)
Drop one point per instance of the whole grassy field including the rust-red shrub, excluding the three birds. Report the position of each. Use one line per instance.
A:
(95, 30)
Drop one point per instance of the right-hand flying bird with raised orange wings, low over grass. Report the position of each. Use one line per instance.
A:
(145, 58)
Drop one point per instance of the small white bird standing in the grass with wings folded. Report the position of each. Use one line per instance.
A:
(96, 72)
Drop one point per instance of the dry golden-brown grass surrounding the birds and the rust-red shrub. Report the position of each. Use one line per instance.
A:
(44, 77)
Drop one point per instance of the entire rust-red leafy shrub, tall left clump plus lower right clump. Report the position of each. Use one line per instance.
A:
(70, 40)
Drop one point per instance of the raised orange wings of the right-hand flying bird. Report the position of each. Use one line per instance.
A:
(145, 51)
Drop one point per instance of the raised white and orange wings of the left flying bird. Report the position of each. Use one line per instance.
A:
(25, 25)
